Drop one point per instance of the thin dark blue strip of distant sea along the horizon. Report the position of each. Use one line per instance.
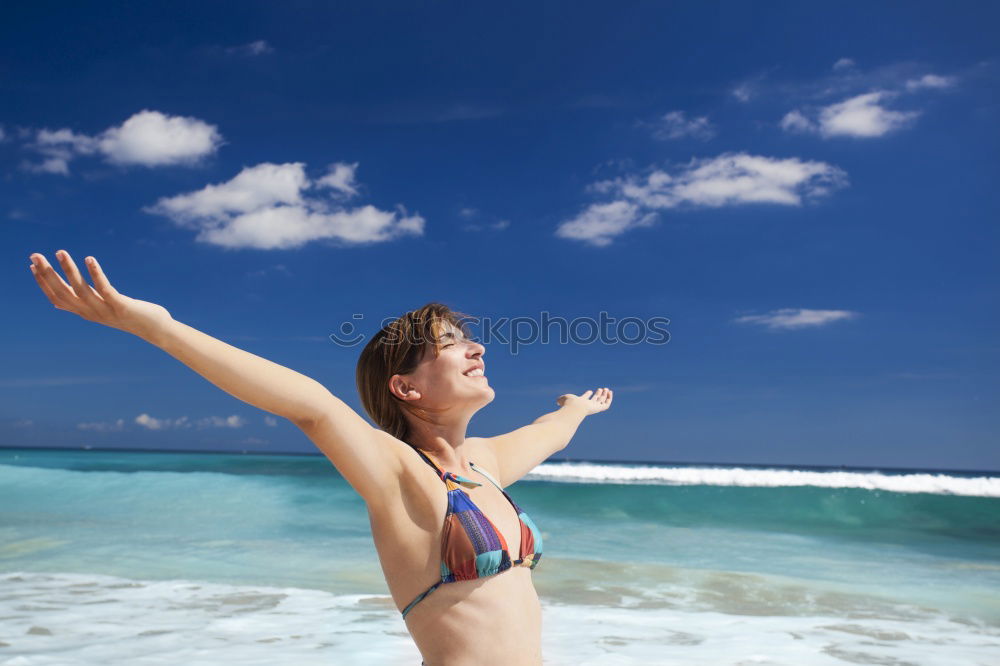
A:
(317, 454)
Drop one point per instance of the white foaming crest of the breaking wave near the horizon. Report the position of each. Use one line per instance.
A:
(940, 484)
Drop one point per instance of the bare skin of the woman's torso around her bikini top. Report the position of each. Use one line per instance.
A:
(492, 620)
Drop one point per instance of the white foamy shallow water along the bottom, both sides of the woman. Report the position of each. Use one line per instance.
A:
(92, 620)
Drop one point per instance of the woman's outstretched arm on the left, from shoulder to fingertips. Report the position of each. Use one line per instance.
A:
(358, 450)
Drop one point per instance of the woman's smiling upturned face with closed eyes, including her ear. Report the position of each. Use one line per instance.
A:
(453, 379)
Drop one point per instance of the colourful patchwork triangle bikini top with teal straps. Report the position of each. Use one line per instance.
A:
(471, 545)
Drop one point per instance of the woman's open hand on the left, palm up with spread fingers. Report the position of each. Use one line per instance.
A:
(101, 303)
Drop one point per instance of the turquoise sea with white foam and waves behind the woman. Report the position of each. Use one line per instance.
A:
(120, 557)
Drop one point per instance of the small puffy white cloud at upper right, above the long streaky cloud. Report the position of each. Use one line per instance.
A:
(862, 116)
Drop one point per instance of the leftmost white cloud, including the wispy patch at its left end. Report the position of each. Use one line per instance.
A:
(148, 138)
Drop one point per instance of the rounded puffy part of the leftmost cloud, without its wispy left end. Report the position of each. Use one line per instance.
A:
(150, 138)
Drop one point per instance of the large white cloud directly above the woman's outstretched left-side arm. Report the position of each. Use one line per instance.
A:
(263, 207)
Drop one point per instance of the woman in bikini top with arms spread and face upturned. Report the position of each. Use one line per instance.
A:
(447, 553)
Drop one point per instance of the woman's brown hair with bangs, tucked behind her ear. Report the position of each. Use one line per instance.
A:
(397, 349)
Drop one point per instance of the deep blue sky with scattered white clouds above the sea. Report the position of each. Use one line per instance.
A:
(807, 193)
